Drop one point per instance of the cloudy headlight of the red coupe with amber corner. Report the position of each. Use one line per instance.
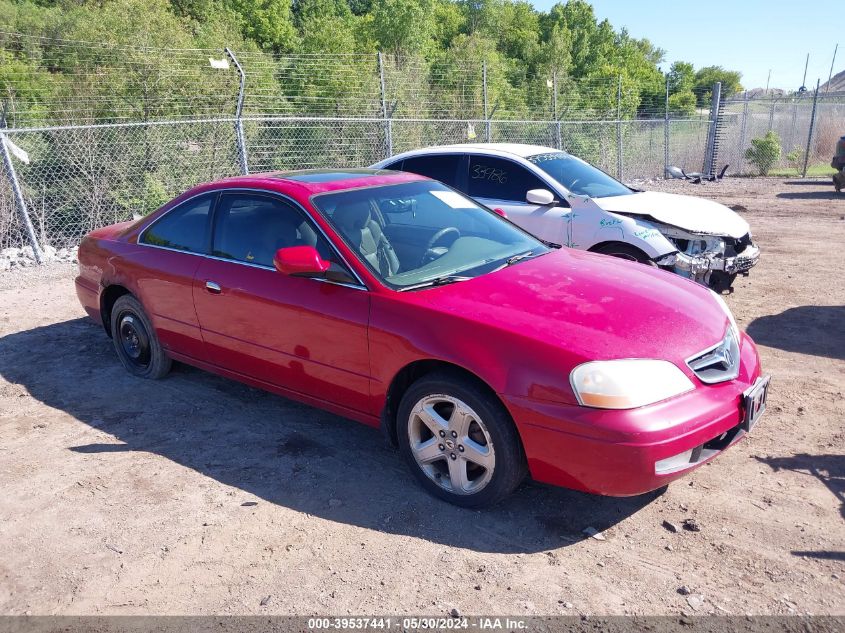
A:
(627, 383)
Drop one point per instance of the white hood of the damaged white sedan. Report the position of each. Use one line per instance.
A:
(689, 213)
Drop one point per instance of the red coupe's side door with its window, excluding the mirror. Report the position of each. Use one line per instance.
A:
(305, 335)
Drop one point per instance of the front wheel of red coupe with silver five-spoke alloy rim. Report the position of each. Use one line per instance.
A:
(459, 441)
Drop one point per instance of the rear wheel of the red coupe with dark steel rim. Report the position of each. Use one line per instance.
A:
(135, 340)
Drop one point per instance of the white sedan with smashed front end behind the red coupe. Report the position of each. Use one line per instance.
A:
(562, 199)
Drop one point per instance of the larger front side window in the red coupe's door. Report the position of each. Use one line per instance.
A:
(251, 228)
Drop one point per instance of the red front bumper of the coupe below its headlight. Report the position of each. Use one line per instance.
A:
(625, 453)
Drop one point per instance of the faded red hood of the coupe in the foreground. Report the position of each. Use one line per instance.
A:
(590, 307)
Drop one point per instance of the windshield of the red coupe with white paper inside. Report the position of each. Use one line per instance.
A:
(423, 232)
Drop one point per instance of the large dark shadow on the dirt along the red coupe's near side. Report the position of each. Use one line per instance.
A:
(281, 451)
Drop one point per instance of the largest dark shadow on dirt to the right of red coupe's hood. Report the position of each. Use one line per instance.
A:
(813, 330)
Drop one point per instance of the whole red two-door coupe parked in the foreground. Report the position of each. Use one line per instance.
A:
(396, 301)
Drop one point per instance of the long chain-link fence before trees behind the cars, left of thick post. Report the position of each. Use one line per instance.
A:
(109, 132)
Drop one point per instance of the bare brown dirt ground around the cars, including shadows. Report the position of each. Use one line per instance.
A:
(197, 495)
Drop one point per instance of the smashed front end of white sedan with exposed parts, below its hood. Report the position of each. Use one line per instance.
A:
(712, 260)
